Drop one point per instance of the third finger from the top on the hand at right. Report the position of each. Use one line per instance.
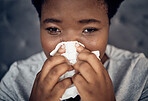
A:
(86, 71)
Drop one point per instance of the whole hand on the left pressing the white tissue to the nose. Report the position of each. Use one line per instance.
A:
(47, 86)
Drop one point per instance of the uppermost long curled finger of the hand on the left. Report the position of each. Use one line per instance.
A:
(50, 63)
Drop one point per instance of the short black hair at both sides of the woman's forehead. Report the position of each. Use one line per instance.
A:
(112, 6)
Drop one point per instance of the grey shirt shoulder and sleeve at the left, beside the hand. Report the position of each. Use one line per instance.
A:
(21, 76)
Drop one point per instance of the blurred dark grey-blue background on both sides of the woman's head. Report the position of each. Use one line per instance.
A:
(20, 34)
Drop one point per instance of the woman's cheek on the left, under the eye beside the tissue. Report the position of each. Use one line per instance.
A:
(48, 43)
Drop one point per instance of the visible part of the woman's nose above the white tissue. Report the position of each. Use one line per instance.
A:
(71, 36)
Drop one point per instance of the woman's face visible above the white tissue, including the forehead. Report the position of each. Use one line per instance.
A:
(85, 21)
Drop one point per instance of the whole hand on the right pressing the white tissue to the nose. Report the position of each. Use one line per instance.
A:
(93, 81)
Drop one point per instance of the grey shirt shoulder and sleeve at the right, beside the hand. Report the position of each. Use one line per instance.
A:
(130, 70)
